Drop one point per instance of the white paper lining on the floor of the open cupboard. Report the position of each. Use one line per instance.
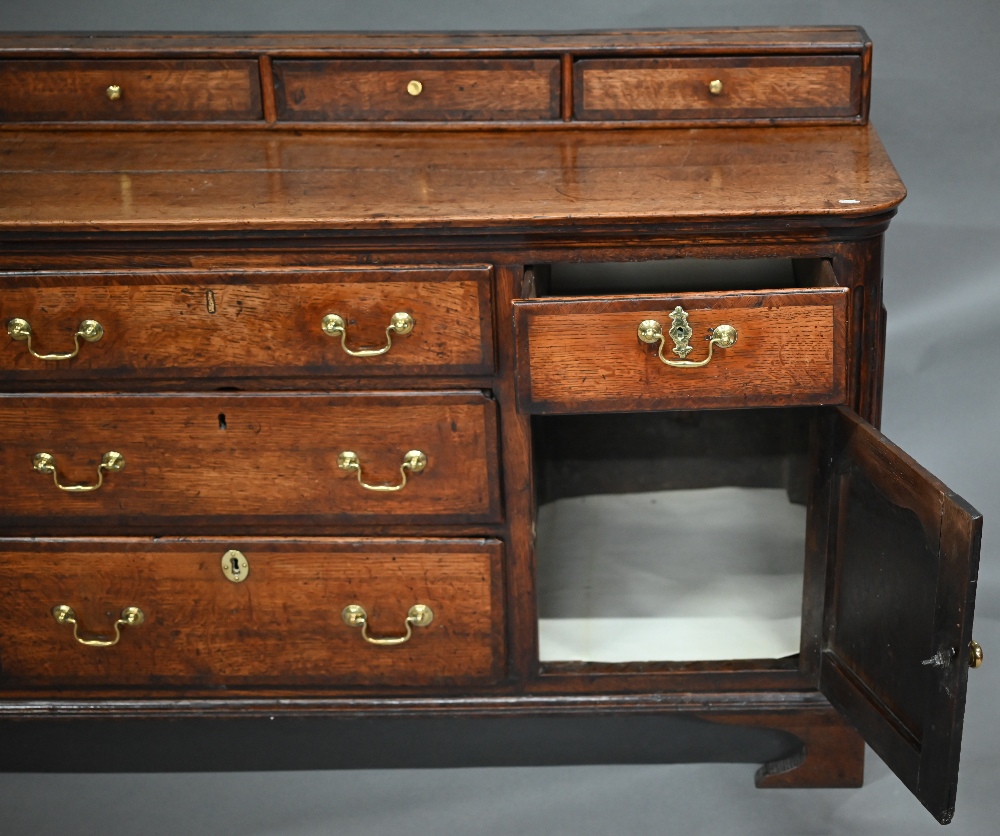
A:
(688, 575)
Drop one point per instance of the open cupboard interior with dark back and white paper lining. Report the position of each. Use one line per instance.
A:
(670, 537)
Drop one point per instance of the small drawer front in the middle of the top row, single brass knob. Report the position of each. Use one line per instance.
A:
(388, 91)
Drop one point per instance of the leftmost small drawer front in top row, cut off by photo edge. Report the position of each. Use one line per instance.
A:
(172, 91)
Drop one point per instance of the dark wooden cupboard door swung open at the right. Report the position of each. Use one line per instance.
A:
(902, 555)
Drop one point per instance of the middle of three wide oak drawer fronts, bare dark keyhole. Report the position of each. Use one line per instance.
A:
(209, 462)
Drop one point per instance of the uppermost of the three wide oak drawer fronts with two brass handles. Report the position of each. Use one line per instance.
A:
(270, 323)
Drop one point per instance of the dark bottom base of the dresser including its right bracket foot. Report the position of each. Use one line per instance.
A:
(799, 748)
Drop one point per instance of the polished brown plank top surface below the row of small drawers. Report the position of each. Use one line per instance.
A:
(204, 180)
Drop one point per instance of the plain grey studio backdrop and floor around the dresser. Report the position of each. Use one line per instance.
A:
(935, 103)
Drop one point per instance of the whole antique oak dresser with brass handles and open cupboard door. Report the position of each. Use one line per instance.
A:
(380, 400)
